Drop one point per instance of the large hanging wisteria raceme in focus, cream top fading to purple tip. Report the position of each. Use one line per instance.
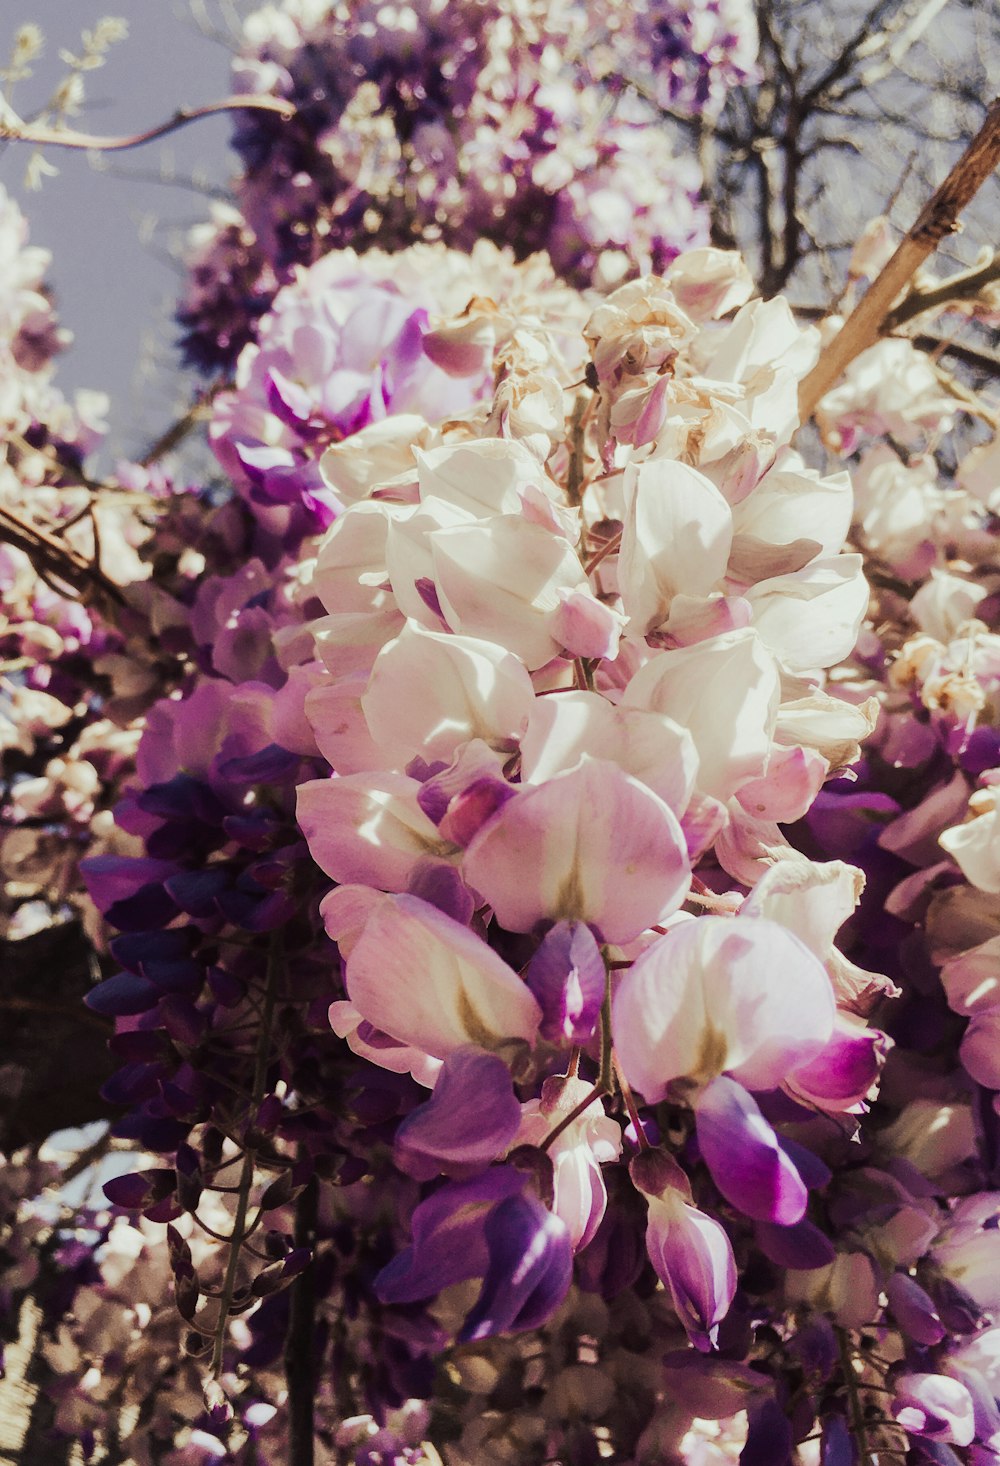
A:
(571, 688)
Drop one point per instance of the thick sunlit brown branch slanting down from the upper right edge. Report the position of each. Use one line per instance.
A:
(938, 219)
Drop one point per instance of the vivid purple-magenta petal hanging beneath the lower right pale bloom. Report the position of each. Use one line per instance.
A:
(744, 1156)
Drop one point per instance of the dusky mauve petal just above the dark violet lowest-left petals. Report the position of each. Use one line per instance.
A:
(471, 1118)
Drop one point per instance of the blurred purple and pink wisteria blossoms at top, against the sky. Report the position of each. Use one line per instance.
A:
(512, 121)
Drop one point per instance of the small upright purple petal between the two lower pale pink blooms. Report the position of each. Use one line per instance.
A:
(567, 977)
